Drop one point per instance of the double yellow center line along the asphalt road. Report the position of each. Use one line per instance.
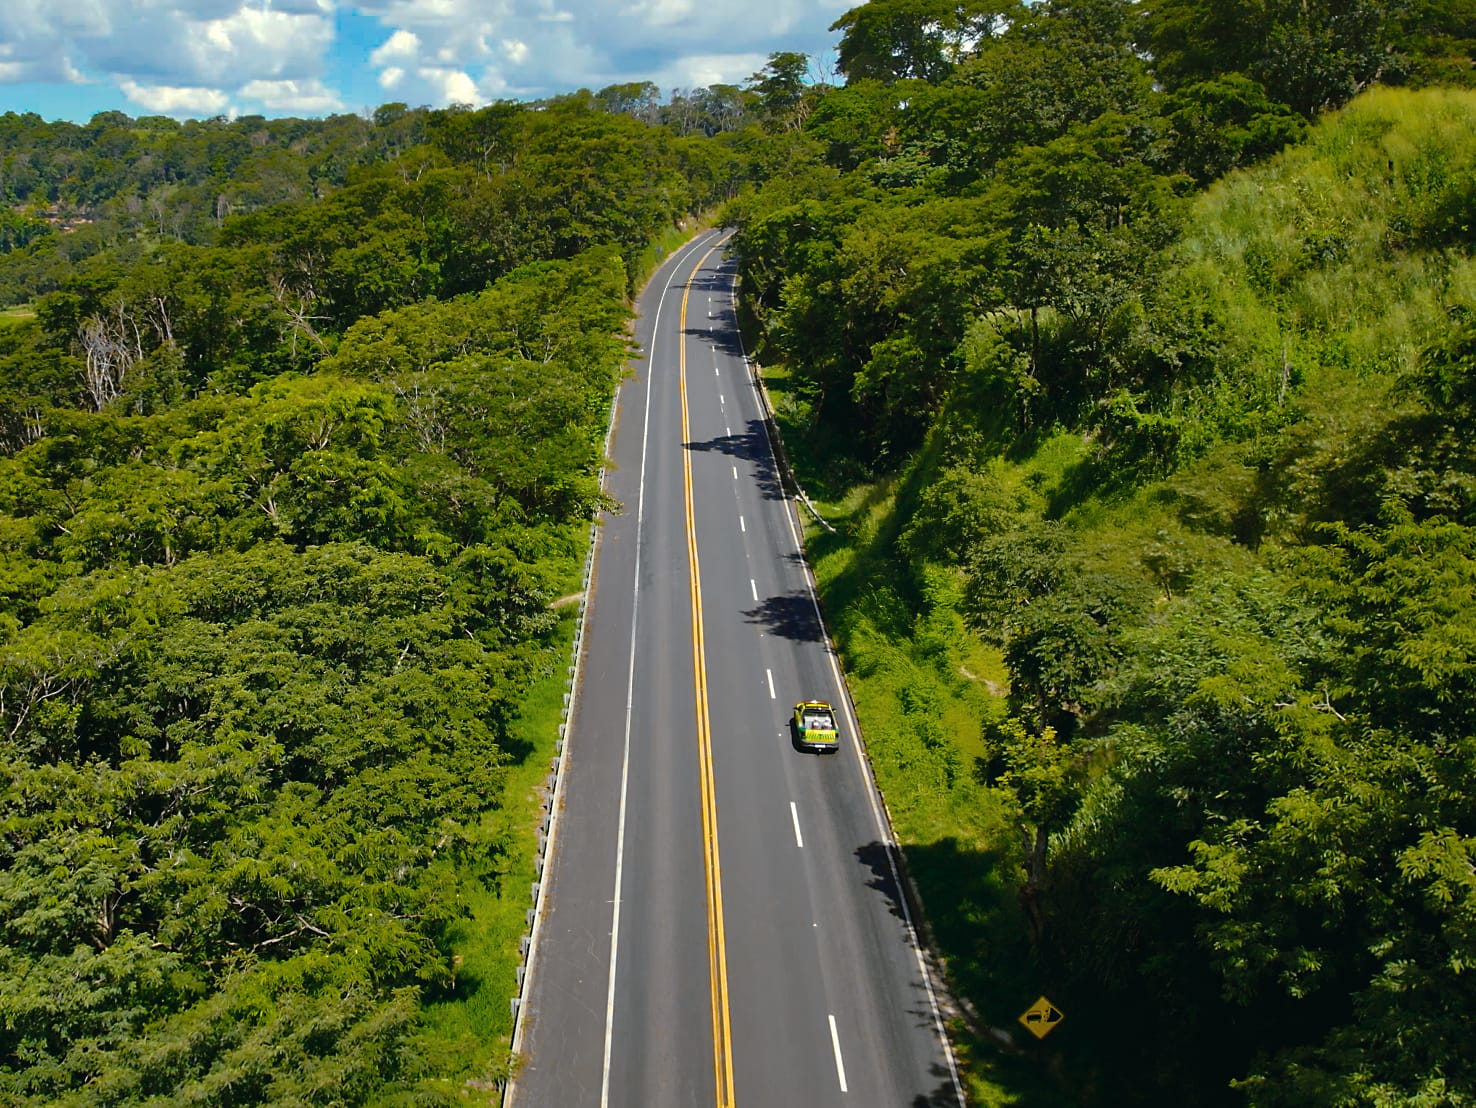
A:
(717, 942)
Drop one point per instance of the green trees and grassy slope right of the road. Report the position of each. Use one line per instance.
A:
(1130, 350)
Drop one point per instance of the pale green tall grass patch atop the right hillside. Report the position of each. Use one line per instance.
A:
(1338, 257)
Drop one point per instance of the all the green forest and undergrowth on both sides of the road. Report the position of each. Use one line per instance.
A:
(1128, 349)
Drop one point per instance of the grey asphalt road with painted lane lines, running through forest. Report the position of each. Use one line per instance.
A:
(723, 923)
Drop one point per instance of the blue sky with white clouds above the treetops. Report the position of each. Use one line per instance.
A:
(69, 60)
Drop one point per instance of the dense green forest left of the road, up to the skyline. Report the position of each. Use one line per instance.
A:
(300, 436)
